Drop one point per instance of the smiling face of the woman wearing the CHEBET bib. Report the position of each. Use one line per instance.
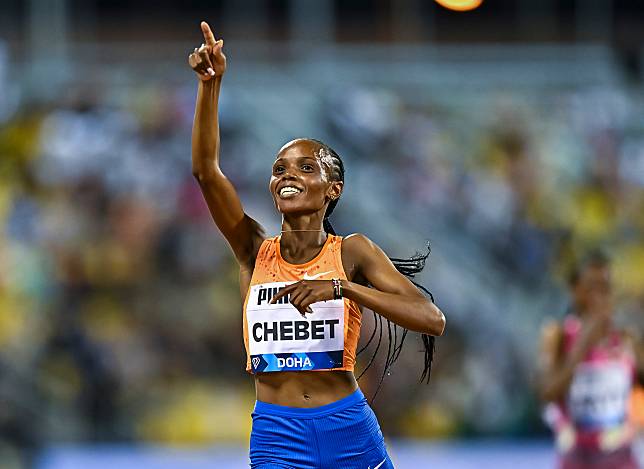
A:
(301, 182)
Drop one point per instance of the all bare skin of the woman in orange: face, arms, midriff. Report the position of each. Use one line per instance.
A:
(300, 164)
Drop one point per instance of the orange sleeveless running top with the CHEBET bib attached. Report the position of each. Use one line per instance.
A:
(277, 337)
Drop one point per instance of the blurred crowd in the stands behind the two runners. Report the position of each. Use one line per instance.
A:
(120, 312)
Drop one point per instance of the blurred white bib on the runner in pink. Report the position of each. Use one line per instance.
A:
(599, 395)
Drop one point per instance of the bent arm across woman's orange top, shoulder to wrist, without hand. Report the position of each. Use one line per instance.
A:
(393, 295)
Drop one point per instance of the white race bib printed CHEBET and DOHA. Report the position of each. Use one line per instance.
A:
(280, 339)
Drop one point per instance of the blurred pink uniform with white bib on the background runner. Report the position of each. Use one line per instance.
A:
(592, 424)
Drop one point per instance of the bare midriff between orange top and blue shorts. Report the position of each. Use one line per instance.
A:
(304, 388)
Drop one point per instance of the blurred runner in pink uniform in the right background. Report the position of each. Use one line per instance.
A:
(588, 374)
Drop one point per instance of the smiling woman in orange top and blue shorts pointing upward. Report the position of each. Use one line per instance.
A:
(303, 292)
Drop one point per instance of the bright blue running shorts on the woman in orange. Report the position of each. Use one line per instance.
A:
(342, 435)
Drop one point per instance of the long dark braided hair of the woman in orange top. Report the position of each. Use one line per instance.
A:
(408, 267)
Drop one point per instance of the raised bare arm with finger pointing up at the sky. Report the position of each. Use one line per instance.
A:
(242, 232)
